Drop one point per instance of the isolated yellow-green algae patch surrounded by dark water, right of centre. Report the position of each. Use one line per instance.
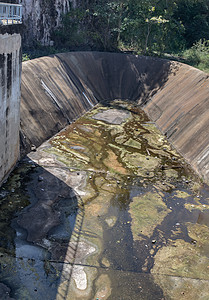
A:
(147, 212)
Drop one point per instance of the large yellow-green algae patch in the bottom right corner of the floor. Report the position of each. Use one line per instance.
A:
(187, 263)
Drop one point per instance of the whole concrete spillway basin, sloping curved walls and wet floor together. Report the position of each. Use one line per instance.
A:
(115, 206)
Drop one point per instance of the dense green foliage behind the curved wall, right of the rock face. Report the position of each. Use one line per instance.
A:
(156, 27)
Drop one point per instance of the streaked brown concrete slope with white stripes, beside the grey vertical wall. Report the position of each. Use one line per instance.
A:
(51, 99)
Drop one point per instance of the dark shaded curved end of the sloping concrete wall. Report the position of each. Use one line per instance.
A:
(118, 76)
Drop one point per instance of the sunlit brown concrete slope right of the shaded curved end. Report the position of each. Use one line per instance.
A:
(181, 110)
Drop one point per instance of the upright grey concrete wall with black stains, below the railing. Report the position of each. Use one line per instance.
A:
(10, 76)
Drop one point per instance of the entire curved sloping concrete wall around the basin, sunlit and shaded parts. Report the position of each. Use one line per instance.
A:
(58, 89)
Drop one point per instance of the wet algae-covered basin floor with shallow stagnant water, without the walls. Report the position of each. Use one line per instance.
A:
(106, 209)
